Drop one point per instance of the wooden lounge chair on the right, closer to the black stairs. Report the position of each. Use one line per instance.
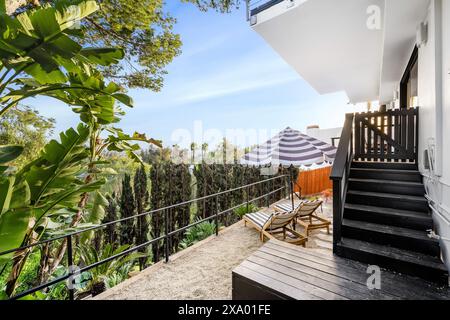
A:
(306, 216)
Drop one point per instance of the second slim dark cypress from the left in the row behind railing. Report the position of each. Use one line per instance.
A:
(127, 209)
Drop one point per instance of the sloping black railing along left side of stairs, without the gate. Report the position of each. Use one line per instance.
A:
(339, 176)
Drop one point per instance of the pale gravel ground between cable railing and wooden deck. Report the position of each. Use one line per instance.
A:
(204, 270)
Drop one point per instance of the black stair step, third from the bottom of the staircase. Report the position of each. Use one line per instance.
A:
(389, 216)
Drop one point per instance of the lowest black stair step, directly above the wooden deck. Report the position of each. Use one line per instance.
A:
(403, 261)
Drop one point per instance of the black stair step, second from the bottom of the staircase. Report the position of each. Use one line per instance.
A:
(403, 238)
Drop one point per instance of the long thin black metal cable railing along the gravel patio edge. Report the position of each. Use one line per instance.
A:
(166, 236)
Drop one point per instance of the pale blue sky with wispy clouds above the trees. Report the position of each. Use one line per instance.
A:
(227, 77)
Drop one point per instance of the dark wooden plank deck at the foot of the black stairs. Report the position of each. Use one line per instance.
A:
(282, 271)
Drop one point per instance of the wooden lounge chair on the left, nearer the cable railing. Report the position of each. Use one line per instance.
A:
(270, 224)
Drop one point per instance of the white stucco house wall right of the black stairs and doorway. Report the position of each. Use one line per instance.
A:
(434, 91)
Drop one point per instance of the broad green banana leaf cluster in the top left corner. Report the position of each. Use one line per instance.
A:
(41, 40)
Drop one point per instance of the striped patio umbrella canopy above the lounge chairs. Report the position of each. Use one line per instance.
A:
(291, 148)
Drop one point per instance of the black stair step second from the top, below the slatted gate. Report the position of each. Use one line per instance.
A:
(386, 174)
